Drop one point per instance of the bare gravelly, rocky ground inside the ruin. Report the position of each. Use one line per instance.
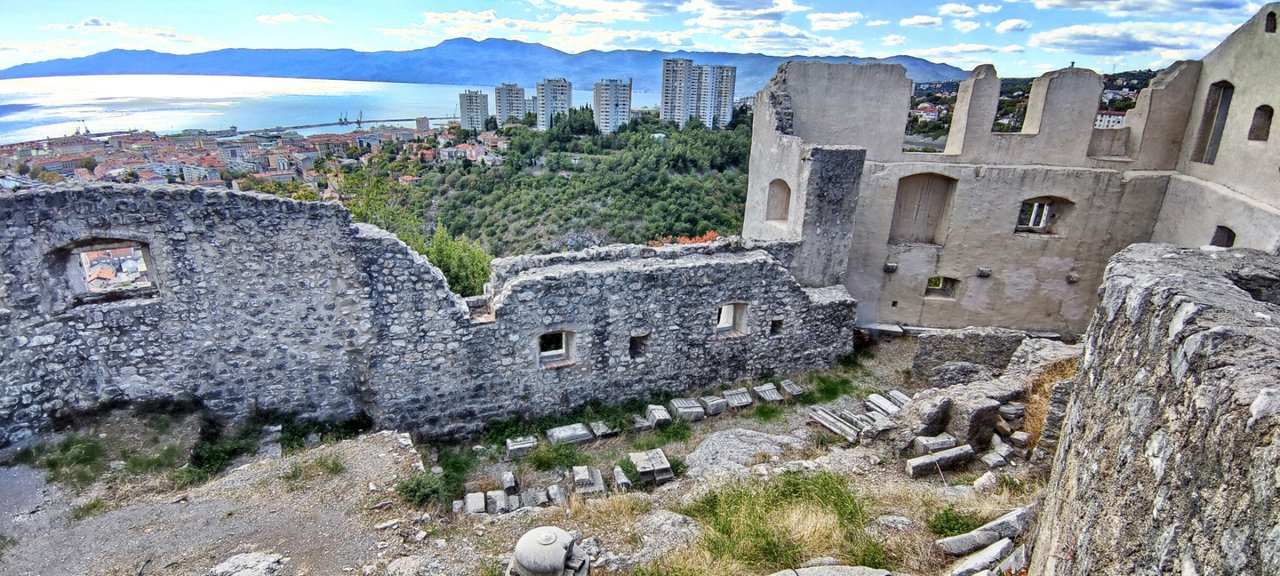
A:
(332, 509)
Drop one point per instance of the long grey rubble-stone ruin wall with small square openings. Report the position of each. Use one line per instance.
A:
(277, 305)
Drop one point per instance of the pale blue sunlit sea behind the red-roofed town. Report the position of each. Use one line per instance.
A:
(36, 109)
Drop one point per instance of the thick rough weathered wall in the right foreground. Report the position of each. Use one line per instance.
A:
(1172, 441)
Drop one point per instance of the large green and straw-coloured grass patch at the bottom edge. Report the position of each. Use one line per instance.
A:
(778, 525)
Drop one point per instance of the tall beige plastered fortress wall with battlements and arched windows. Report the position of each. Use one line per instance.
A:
(943, 240)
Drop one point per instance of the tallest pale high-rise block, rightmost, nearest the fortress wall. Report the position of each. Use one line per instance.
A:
(702, 92)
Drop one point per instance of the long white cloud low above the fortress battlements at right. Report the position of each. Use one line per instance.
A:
(1167, 42)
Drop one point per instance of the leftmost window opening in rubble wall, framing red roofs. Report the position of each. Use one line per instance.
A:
(106, 271)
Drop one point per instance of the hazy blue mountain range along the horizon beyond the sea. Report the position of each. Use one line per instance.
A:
(454, 62)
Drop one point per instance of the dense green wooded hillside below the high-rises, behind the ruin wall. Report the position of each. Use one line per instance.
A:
(565, 189)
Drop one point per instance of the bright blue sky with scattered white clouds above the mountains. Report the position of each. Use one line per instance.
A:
(1022, 38)
